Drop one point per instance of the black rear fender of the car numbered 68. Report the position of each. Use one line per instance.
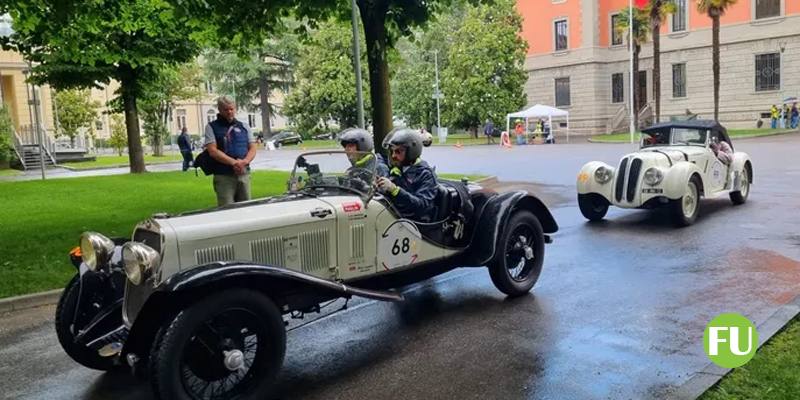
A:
(493, 216)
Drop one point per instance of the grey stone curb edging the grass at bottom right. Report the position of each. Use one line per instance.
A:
(704, 380)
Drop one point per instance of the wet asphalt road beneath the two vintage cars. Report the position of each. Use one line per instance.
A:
(618, 312)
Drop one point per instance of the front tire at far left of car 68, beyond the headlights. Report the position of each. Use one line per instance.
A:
(65, 315)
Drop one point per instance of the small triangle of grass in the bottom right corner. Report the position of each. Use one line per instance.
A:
(774, 373)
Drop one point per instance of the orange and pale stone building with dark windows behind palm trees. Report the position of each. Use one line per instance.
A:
(577, 61)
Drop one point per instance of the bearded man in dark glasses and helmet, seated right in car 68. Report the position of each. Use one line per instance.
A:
(411, 185)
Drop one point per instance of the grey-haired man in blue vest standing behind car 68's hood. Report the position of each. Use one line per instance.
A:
(231, 144)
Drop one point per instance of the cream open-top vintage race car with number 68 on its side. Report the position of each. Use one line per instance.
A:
(198, 301)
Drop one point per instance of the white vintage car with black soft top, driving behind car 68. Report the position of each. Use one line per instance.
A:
(675, 166)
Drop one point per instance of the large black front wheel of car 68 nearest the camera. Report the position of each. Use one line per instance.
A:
(190, 352)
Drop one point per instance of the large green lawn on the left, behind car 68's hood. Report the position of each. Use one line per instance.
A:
(43, 219)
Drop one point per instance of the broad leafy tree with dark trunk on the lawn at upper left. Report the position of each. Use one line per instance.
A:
(85, 43)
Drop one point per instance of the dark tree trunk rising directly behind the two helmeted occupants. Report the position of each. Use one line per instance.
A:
(373, 17)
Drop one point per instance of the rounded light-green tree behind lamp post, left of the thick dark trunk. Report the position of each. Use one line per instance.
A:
(324, 88)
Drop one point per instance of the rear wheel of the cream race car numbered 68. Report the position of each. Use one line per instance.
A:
(511, 272)
